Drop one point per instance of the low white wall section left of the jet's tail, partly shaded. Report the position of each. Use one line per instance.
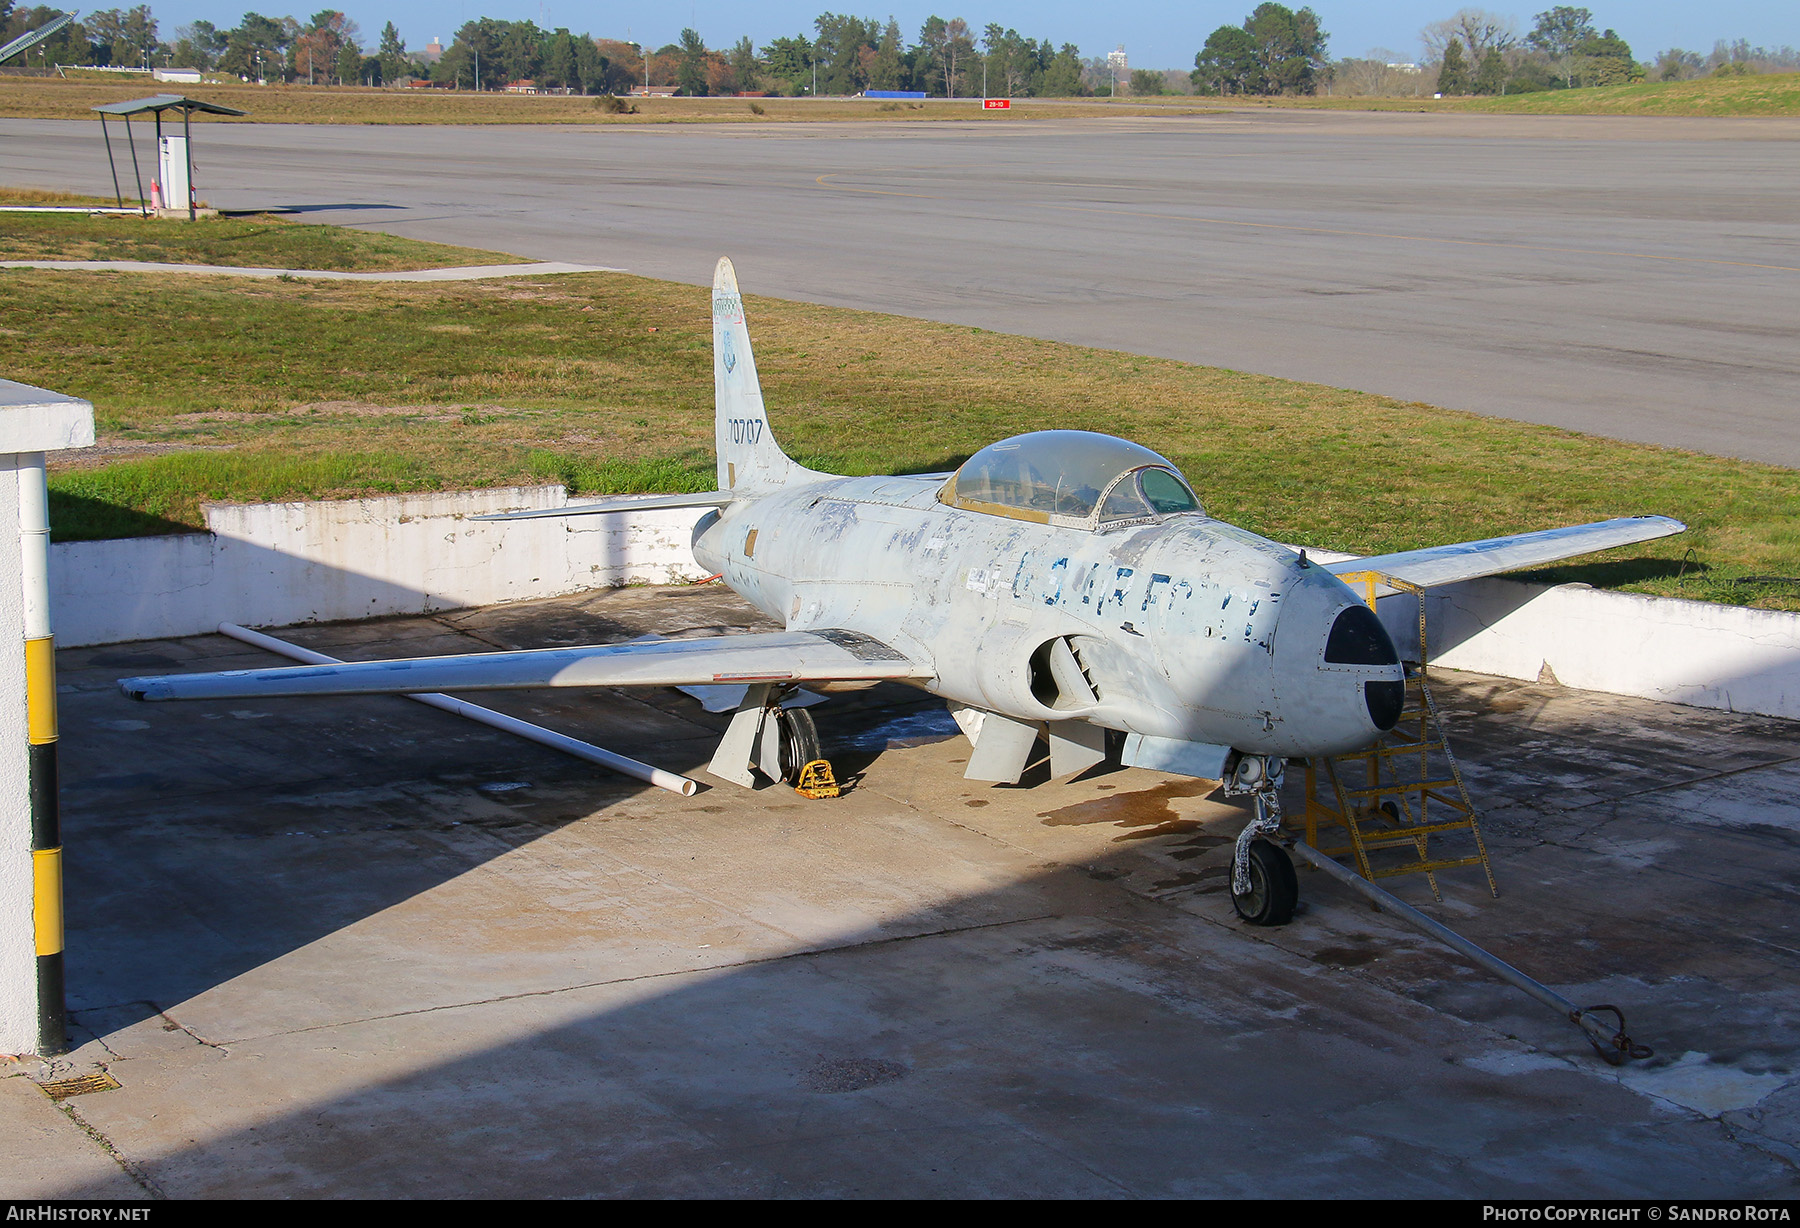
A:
(312, 563)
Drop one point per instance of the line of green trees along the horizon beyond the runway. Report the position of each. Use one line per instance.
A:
(1273, 51)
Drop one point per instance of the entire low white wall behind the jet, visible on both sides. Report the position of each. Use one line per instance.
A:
(298, 563)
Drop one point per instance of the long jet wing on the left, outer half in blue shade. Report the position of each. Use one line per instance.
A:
(795, 656)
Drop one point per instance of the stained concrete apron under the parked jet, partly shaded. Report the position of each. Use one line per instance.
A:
(355, 948)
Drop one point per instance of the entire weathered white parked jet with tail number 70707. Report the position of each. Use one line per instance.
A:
(1059, 584)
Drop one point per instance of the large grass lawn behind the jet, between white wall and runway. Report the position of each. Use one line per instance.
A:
(228, 390)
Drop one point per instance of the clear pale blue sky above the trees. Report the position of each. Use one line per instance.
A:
(1155, 35)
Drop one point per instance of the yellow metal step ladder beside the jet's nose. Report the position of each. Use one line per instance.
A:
(1405, 791)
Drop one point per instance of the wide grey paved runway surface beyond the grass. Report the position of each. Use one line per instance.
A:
(1615, 276)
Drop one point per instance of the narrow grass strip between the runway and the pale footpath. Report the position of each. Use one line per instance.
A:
(265, 242)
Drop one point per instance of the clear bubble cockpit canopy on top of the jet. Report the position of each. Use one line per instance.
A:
(1072, 480)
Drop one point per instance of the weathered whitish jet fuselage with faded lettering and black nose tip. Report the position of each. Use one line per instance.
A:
(1191, 629)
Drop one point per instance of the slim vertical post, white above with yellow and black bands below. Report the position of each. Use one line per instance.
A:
(40, 730)
